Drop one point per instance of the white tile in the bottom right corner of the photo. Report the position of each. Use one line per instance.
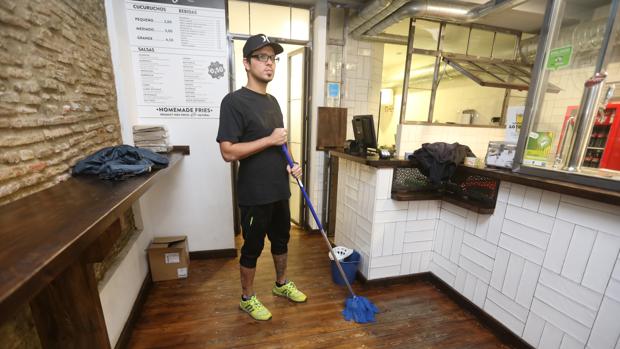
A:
(606, 329)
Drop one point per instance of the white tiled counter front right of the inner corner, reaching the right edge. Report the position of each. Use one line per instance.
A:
(544, 261)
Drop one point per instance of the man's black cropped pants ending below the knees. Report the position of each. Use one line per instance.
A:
(273, 220)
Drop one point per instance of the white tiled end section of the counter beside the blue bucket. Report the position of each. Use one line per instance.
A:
(393, 237)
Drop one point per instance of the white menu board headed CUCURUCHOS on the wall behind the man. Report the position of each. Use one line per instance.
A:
(180, 57)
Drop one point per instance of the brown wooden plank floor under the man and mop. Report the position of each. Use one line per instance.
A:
(202, 311)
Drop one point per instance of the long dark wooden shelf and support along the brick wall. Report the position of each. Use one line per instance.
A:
(47, 237)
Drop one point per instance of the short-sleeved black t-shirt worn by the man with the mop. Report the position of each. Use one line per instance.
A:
(246, 116)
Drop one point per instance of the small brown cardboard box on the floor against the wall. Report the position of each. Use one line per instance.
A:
(168, 258)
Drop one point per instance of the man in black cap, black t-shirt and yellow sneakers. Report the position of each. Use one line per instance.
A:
(252, 131)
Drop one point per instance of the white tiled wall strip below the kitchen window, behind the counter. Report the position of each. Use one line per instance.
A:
(411, 137)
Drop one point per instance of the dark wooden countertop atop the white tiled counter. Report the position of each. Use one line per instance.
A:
(559, 186)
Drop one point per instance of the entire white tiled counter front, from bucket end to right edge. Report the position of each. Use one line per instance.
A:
(545, 265)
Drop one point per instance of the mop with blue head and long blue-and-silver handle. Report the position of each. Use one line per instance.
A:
(356, 308)
